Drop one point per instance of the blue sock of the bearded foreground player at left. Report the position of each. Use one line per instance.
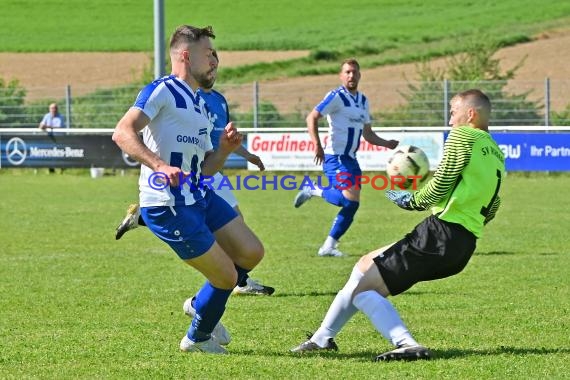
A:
(210, 304)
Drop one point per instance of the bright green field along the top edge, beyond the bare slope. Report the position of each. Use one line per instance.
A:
(105, 25)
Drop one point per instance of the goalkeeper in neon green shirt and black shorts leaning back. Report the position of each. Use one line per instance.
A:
(463, 195)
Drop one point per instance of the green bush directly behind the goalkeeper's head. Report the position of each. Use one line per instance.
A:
(426, 100)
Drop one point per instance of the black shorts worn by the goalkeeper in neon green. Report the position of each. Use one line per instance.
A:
(434, 249)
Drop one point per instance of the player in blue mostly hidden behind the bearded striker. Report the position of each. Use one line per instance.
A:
(219, 114)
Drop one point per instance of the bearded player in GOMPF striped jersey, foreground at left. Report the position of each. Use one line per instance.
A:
(176, 151)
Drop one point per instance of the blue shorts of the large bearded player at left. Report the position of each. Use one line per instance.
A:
(188, 230)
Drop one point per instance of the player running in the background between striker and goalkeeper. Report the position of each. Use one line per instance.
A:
(346, 110)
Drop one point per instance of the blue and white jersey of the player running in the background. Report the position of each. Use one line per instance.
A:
(346, 115)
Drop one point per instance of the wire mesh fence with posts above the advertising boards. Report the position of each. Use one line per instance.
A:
(286, 104)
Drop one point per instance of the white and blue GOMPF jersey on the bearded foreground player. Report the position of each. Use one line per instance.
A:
(179, 132)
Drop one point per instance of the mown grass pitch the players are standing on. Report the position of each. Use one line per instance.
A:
(78, 304)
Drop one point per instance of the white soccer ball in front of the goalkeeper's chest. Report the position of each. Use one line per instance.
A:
(407, 160)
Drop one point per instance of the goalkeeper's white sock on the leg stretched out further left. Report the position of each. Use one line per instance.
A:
(340, 311)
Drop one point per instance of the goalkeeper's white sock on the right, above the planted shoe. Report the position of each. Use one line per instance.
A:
(384, 317)
